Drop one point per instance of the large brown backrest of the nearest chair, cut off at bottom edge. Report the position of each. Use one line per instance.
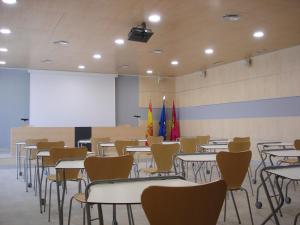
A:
(193, 205)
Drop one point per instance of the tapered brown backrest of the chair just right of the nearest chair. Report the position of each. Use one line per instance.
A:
(234, 167)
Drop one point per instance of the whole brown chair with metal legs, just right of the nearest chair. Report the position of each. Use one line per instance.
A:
(233, 167)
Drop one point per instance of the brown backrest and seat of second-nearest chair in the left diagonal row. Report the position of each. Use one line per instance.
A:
(57, 154)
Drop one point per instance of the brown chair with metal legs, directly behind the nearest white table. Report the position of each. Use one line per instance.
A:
(99, 168)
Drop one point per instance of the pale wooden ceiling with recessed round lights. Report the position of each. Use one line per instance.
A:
(186, 29)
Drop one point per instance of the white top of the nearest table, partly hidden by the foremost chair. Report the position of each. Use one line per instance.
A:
(128, 192)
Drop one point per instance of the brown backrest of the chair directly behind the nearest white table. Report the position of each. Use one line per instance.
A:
(102, 168)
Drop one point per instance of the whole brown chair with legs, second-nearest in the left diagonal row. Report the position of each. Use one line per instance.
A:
(58, 154)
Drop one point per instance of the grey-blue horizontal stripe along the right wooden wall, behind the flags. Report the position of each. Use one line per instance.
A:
(276, 107)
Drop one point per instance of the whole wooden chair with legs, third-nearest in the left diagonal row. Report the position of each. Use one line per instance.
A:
(47, 161)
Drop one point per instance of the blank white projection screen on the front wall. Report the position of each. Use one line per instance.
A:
(70, 99)
